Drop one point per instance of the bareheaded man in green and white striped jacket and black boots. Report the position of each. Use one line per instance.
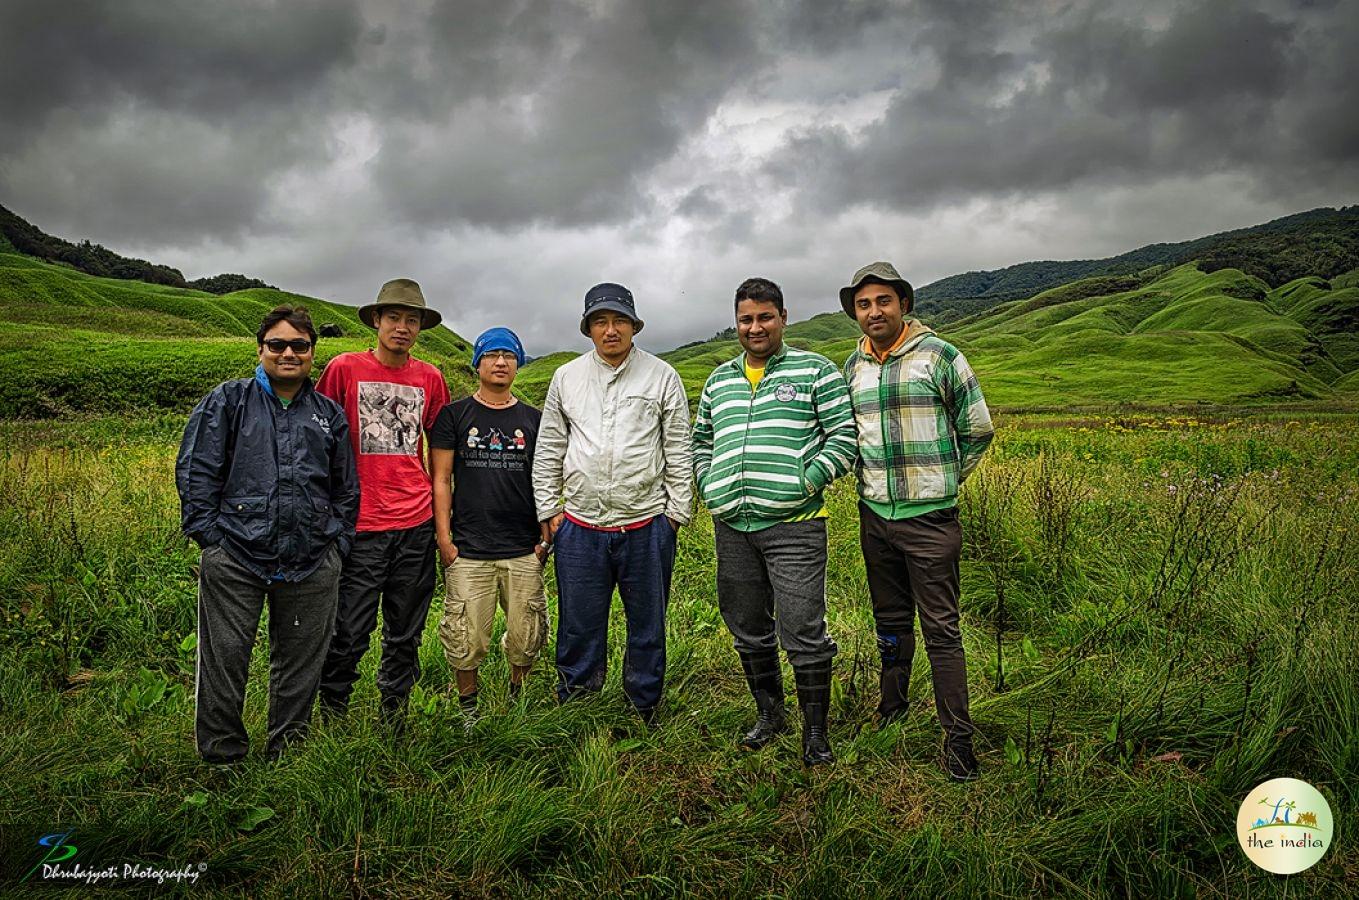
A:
(774, 429)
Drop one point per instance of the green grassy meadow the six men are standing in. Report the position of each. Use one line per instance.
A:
(1179, 625)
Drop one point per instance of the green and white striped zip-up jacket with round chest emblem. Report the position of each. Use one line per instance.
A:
(764, 457)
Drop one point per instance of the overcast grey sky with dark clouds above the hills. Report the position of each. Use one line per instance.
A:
(509, 154)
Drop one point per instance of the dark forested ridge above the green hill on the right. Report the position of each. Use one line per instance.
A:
(1322, 243)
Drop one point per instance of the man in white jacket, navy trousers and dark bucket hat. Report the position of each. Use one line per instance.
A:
(611, 479)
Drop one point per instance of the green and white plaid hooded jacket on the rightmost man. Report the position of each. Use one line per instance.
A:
(923, 423)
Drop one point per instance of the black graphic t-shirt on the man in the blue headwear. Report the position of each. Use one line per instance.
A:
(494, 516)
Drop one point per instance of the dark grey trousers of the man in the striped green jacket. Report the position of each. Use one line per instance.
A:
(773, 589)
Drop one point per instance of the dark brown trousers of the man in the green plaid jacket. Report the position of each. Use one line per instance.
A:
(913, 568)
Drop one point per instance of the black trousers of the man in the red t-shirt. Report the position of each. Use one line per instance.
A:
(396, 570)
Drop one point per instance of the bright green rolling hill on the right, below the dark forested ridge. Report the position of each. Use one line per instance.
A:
(1156, 338)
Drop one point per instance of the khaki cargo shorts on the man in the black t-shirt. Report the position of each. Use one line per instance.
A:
(474, 591)
